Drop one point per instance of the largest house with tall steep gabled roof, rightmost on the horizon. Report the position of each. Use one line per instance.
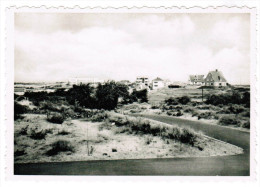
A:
(215, 78)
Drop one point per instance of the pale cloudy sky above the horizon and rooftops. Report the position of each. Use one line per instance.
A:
(120, 46)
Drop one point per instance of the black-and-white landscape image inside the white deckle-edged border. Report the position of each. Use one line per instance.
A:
(147, 93)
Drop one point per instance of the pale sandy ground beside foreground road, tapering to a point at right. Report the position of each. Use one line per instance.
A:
(106, 144)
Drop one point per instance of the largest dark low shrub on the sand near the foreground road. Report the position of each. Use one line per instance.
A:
(60, 146)
